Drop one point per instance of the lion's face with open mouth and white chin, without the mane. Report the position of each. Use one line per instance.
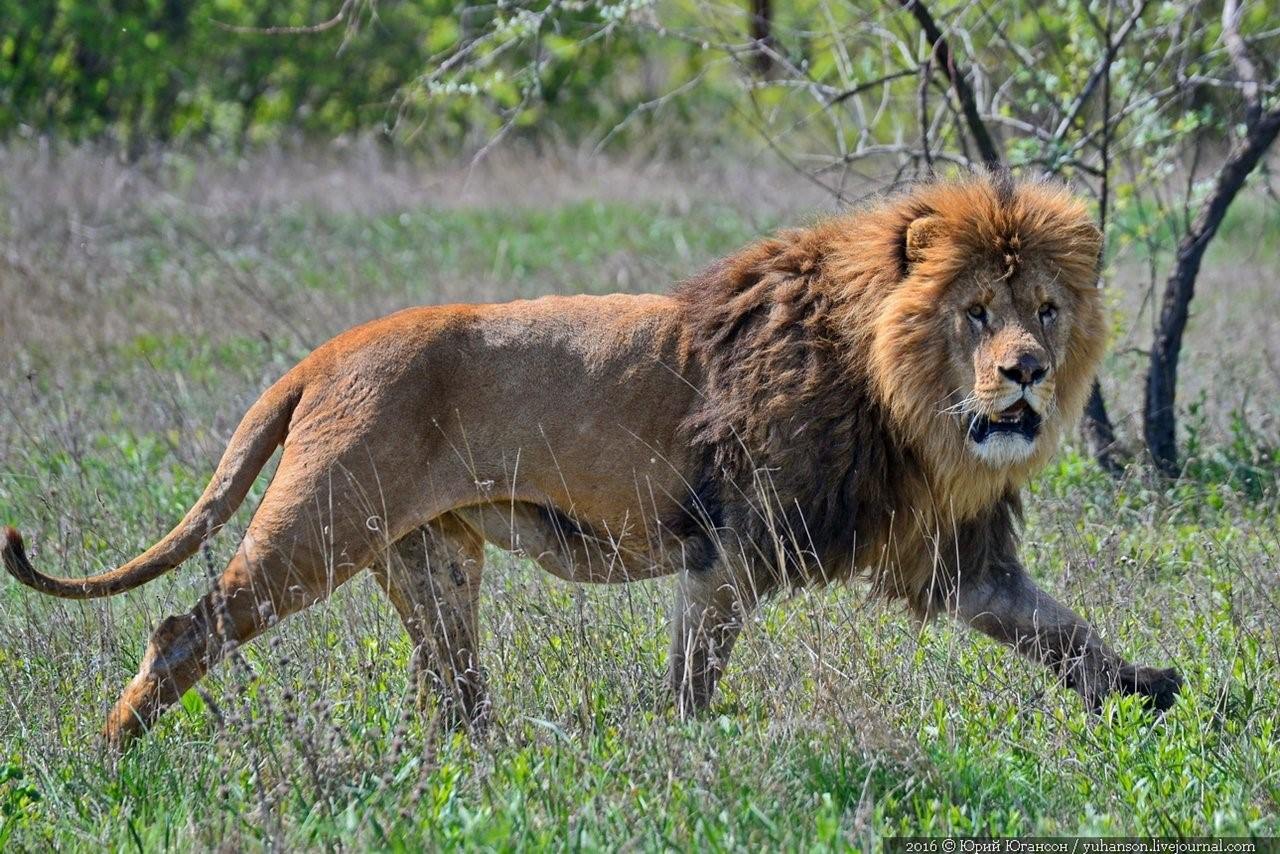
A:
(1007, 335)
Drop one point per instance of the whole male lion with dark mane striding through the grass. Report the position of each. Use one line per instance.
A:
(861, 398)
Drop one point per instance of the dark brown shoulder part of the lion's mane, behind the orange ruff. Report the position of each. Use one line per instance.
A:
(796, 447)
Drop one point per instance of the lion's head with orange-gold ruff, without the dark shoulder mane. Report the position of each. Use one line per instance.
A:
(986, 346)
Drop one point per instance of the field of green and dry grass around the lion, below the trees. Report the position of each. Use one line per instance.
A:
(144, 312)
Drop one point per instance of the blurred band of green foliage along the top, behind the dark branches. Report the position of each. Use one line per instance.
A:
(236, 72)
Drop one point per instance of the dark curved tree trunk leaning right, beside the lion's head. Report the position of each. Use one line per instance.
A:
(1160, 419)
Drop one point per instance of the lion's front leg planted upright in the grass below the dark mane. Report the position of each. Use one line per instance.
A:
(712, 608)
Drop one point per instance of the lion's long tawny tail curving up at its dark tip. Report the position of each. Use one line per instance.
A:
(260, 432)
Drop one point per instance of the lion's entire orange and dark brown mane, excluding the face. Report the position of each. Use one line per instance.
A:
(820, 359)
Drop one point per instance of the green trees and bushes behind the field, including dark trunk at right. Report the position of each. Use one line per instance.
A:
(1160, 109)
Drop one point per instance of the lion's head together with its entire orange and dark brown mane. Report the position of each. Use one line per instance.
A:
(918, 357)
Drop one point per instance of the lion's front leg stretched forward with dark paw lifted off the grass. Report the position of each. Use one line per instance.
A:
(1007, 605)
